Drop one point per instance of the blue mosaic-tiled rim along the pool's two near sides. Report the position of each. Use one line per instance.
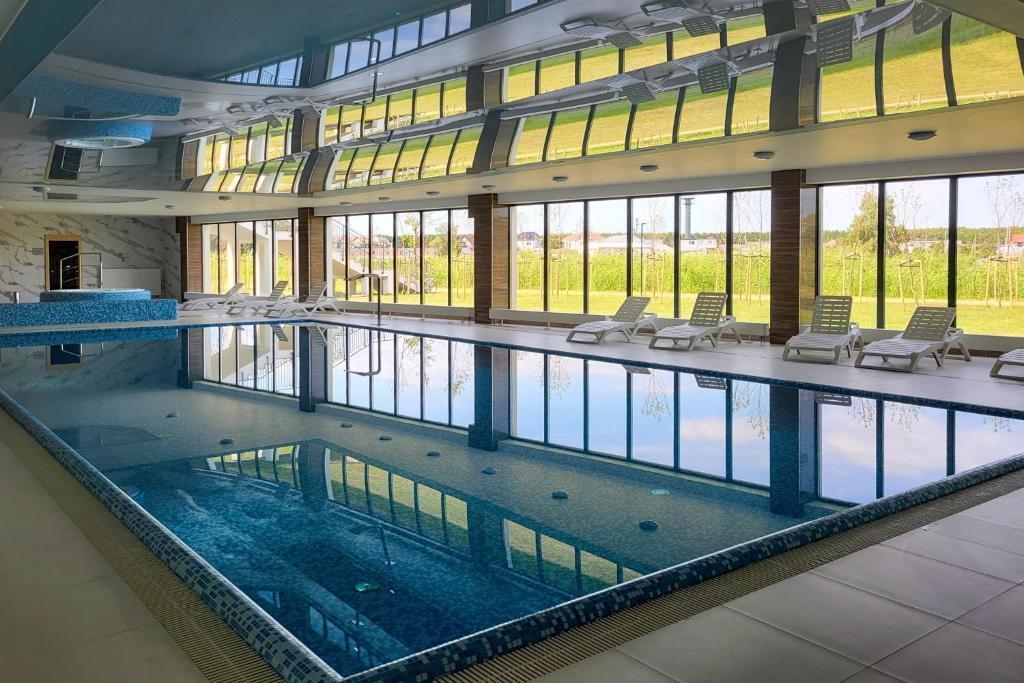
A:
(300, 665)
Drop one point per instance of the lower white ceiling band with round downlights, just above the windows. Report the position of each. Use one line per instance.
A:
(971, 139)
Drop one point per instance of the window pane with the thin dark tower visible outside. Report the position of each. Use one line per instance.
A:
(702, 247)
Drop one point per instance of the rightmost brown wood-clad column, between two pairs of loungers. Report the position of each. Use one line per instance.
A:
(794, 254)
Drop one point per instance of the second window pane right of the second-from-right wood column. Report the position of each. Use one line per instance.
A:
(566, 241)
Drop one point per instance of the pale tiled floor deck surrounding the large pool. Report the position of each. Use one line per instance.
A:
(944, 603)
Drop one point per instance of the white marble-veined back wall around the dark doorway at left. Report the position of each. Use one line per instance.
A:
(124, 242)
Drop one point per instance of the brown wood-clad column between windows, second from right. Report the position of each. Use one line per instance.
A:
(491, 255)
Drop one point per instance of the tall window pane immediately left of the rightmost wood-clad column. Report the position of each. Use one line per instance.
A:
(752, 255)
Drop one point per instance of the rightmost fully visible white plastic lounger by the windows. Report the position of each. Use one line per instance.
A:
(928, 333)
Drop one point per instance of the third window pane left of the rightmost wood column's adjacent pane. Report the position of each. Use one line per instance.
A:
(608, 247)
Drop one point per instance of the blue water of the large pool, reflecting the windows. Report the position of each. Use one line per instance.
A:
(441, 489)
